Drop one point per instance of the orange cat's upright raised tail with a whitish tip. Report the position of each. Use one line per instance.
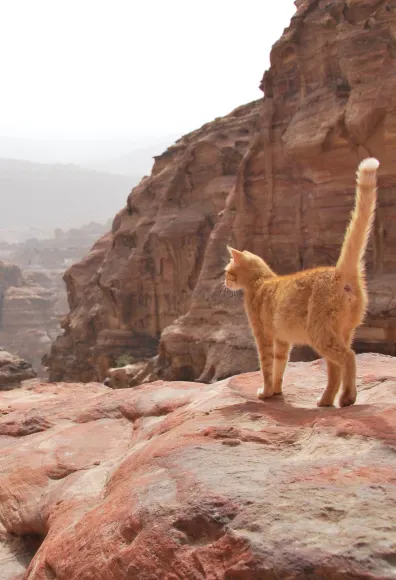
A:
(350, 261)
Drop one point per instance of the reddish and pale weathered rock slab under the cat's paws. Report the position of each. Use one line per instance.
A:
(193, 481)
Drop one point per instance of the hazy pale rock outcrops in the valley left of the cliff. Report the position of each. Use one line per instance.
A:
(33, 295)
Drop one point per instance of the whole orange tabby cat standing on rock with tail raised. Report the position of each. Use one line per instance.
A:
(321, 307)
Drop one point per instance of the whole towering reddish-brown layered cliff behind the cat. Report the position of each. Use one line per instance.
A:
(275, 177)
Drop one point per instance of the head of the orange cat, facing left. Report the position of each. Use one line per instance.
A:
(243, 269)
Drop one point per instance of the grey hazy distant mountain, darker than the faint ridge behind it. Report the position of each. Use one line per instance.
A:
(42, 196)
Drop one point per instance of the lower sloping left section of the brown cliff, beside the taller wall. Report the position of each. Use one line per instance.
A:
(141, 277)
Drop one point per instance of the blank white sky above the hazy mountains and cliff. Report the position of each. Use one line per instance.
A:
(94, 68)
